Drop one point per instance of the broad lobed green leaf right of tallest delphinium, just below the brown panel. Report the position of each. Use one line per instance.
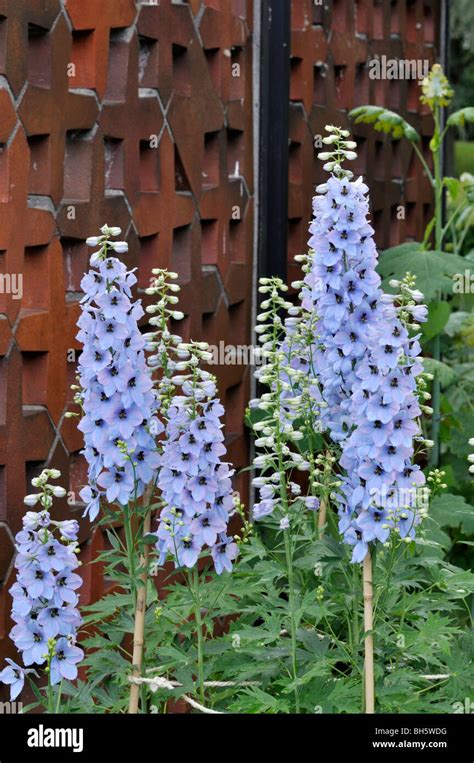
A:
(433, 270)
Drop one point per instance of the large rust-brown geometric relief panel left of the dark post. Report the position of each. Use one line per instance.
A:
(85, 86)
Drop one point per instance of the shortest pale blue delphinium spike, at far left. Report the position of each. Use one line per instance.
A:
(45, 595)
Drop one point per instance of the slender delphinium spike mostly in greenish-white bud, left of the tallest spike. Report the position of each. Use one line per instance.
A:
(286, 405)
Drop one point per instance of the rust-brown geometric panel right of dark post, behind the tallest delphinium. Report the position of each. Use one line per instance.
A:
(331, 45)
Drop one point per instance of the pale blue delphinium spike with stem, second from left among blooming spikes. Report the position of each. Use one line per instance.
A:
(194, 482)
